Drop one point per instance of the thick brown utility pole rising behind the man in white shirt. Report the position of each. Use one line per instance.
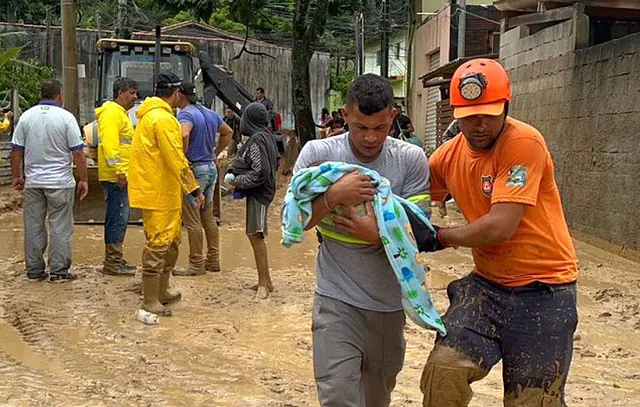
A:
(70, 57)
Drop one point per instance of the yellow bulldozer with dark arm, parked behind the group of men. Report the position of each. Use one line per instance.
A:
(136, 59)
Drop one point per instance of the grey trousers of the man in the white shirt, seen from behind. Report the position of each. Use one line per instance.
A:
(57, 205)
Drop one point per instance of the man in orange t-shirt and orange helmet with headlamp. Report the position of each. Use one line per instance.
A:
(519, 303)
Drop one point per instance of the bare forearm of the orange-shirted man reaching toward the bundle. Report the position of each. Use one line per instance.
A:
(496, 227)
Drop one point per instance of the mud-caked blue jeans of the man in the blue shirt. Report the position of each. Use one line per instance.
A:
(201, 223)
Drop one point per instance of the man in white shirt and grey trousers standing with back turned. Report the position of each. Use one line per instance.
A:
(48, 138)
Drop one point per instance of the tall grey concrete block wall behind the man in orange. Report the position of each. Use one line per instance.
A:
(586, 103)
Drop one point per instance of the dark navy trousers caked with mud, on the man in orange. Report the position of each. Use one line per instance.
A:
(530, 328)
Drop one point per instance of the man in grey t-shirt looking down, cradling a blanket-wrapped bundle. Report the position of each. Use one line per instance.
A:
(358, 319)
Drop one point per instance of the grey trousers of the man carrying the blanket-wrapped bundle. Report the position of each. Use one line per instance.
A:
(357, 353)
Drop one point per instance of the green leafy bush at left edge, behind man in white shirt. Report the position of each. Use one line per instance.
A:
(27, 76)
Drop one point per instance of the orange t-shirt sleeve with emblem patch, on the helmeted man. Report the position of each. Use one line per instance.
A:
(520, 170)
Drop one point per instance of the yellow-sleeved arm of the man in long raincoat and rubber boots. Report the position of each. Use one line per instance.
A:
(173, 156)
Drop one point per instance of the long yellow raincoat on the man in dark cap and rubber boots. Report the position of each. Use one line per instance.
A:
(159, 173)
